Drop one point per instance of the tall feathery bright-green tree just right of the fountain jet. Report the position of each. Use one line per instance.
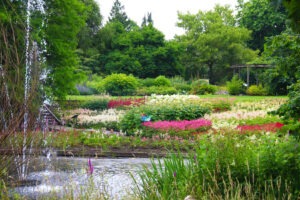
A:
(64, 21)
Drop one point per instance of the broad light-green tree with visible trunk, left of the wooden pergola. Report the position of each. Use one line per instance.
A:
(214, 40)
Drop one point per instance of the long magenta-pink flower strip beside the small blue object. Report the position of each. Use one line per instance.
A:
(179, 125)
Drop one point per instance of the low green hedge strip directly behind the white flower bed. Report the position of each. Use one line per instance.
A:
(161, 90)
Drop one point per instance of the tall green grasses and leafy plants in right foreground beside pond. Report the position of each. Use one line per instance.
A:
(230, 167)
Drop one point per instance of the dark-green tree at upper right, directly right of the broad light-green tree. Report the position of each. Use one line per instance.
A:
(262, 19)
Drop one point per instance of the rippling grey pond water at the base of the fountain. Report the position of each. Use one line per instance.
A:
(61, 175)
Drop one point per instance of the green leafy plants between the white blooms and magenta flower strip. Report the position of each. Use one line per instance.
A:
(131, 121)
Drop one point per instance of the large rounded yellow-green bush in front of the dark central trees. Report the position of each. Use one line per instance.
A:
(120, 84)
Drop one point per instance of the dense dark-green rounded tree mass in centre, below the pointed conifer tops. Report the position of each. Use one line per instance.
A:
(142, 52)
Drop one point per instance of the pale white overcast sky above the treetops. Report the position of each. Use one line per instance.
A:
(164, 12)
